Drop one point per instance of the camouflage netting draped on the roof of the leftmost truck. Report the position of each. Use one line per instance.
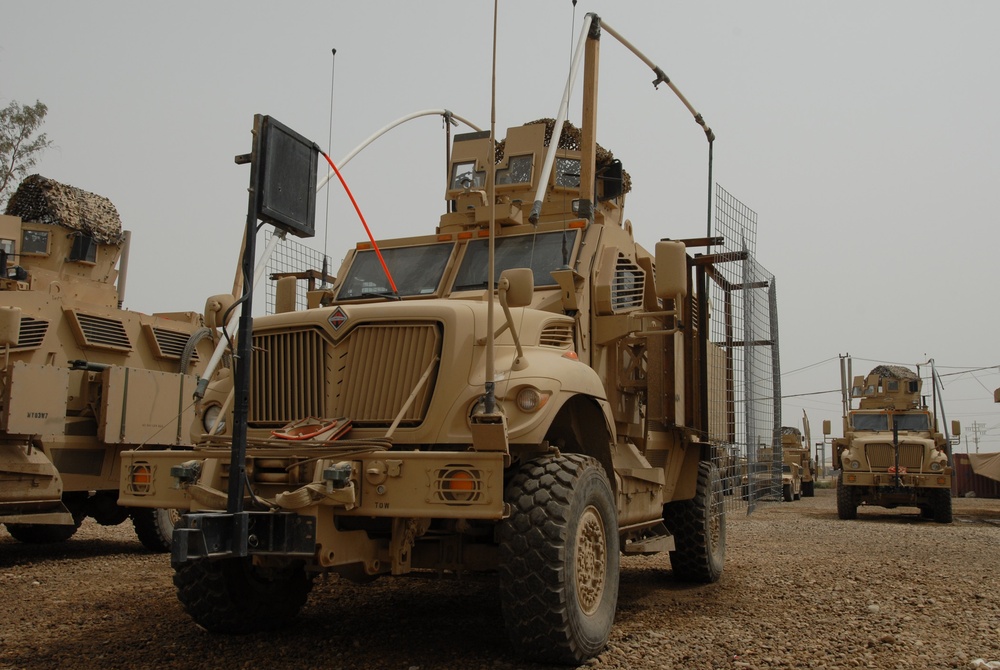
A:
(42, 200)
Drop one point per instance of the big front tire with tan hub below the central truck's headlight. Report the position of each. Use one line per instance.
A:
(559, 558)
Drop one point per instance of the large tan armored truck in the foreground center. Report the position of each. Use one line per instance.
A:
(379, 443)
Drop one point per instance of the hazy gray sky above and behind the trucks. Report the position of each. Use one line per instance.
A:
(865, 135)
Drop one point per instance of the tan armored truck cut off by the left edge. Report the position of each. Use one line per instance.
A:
(81, 378)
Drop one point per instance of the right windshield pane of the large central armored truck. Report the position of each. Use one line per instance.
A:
(543, 253)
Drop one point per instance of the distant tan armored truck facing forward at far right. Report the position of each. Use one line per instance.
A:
(891, 454)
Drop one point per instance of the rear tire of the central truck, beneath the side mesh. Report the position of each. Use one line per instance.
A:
(699, 529)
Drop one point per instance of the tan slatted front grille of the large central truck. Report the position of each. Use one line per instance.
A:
(366, 377)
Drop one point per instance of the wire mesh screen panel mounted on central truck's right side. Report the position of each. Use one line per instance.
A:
(744, 364)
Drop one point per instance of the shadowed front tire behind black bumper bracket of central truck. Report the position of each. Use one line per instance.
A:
(232, 595)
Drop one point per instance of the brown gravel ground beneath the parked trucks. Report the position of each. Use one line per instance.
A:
(801, 589)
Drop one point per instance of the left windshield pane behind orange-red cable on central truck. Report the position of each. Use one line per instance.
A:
(416, 271)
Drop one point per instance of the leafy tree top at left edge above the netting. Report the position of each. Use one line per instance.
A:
(19, 145)
